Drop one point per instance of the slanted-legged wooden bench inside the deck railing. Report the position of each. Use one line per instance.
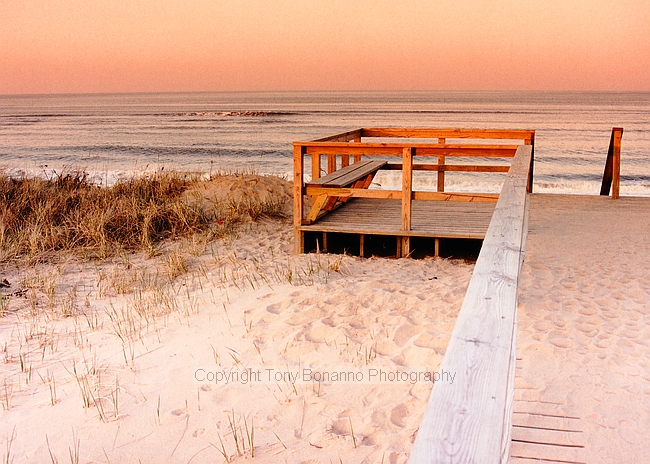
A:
(357, 175)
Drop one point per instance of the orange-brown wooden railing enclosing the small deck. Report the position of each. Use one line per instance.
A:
(343, 149)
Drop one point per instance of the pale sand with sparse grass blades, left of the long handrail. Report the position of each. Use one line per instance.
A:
(101, 358)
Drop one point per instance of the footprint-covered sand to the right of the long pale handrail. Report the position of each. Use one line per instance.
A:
(584, 326)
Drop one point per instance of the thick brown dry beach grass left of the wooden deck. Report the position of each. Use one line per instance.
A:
(41, 217)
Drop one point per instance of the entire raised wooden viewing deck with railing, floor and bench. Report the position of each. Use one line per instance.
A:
(342, 202)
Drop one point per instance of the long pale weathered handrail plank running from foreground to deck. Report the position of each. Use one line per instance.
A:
(467, 421)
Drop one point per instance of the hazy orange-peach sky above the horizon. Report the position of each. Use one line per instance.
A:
(86, 46)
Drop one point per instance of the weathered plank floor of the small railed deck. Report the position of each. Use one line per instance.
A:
(378, 216)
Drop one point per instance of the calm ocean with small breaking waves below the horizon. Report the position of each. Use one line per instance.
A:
(114, 135)
